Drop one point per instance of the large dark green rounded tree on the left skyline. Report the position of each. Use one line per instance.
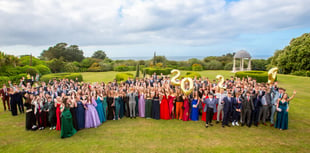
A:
(70, 54)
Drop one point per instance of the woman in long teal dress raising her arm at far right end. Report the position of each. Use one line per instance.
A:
(282, 108)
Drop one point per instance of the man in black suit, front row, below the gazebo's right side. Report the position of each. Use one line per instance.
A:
(247, 108)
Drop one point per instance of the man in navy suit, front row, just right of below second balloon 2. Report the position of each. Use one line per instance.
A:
(227, 101)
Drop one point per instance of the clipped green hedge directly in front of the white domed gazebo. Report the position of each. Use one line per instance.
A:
(260, 76)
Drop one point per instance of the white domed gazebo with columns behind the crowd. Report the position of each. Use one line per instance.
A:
(242, 54)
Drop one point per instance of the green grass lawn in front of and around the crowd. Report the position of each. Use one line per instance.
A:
(147, 135)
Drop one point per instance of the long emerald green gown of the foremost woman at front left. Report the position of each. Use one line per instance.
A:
(67, 129)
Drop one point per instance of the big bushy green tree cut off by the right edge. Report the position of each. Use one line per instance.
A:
(295, 56)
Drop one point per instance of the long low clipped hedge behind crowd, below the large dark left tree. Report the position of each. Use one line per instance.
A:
(69, 76)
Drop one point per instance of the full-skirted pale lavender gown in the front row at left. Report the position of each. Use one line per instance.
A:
(91, 115)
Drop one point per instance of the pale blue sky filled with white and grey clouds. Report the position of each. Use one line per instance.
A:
(133, 28)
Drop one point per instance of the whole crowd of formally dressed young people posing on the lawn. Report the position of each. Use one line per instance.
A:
(70, 105)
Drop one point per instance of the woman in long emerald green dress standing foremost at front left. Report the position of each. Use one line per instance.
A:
(67, 129)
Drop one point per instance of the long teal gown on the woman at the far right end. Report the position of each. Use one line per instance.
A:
(282, 117)
